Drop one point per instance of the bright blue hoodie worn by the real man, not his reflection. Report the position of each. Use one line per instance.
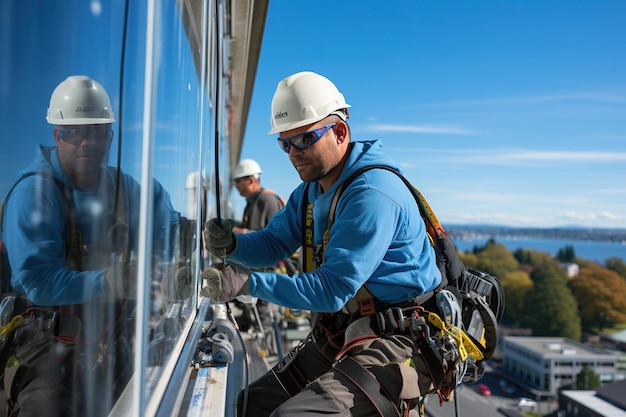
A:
(378, 238)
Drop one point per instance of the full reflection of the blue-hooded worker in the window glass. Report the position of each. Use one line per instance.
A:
(70, 226)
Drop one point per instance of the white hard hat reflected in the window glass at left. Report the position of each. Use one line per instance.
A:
(79, 100)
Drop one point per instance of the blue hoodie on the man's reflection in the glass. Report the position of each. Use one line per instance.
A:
(33, 230)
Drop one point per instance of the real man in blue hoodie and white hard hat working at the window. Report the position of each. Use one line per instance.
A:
(375, 258)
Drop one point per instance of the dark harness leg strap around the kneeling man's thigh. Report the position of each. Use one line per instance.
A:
(369, 385)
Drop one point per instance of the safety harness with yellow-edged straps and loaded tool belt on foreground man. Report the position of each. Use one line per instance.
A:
(448, 352)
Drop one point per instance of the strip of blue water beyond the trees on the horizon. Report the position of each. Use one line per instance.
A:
(586, 249)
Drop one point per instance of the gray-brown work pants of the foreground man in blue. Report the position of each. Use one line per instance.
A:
(310, 386)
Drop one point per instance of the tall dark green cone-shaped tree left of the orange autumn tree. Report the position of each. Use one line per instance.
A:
(550, 307)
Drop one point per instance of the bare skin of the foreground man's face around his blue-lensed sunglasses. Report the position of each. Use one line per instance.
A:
(315, 163)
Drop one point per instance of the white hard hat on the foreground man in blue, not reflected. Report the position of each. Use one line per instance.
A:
(304, 98)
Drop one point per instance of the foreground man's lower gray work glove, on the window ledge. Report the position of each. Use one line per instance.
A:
(225, 282)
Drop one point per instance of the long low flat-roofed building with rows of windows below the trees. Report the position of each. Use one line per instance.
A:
(543, 365)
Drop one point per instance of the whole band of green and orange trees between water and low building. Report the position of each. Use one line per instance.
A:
(542, 297)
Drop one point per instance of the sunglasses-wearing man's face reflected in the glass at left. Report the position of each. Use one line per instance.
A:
(82, 148)
